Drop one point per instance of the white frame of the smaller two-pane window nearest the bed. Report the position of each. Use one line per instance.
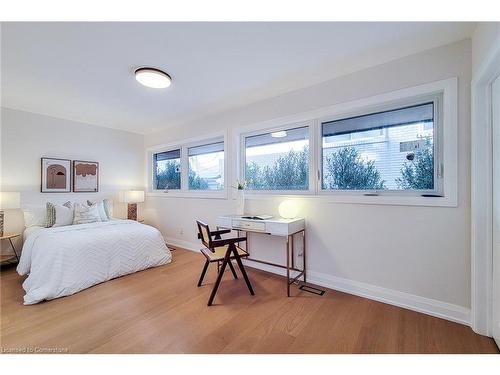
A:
(184, 145)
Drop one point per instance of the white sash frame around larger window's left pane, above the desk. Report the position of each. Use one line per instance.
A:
(242, 159)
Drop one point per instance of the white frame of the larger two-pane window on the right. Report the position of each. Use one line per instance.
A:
(447, 146)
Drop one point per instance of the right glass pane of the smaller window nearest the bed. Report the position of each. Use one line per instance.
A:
(206, 167)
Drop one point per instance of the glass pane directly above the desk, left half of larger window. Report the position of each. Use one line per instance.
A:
(278, 161)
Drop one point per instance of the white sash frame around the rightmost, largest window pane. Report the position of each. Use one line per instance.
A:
(437, 100)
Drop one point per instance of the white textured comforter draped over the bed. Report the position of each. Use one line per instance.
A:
(62, 261)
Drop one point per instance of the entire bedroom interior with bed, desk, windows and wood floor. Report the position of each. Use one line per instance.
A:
(266, 190)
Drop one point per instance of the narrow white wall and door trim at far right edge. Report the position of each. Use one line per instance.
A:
(485, 67)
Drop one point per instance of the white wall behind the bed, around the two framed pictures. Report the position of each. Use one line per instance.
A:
(26, 137)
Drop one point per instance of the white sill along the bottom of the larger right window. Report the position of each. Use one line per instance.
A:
(361, 199)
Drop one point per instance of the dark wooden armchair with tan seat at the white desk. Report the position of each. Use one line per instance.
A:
(221, 250)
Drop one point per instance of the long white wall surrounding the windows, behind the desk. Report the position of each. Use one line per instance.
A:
(406, 252)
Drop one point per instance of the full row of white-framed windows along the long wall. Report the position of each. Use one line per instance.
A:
(396, 148)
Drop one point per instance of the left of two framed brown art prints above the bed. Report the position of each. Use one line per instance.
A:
(55, 175)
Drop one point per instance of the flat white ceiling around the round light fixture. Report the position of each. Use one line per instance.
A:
(84, 71)
